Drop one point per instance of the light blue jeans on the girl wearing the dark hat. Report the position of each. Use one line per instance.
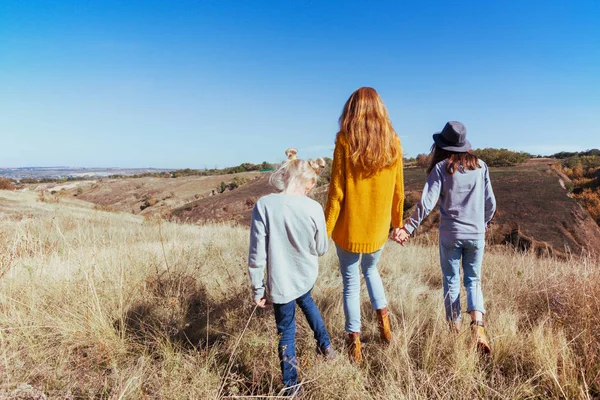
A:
(471, 252)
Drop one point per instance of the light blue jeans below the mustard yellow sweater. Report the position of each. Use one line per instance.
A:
(351, 278)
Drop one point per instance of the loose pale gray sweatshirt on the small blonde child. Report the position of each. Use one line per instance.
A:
(287, 236)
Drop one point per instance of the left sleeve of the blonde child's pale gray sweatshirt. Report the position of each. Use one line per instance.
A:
(257, 254)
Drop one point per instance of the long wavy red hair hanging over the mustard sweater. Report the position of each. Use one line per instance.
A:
(371, 137)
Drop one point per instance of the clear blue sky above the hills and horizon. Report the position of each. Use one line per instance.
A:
(203, 83)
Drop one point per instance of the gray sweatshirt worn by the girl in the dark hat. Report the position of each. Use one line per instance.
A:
(467, 202)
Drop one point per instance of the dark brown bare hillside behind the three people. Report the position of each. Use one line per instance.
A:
(534, 211)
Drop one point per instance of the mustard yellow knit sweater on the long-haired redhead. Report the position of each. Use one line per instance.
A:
(360, 209)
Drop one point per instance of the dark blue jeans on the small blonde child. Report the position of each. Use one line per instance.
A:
(285, 318)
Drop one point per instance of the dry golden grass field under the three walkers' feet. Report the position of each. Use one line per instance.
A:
(102, 305)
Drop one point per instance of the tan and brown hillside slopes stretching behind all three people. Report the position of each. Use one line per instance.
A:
(534, 211)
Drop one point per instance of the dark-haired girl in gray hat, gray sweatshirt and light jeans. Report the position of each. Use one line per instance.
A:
(467, 204)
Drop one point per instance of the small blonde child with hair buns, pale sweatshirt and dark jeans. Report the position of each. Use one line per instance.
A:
(287, 236)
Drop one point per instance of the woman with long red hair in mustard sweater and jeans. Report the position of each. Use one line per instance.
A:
(366, 196)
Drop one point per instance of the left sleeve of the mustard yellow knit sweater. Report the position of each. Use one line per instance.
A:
(337, 188)
